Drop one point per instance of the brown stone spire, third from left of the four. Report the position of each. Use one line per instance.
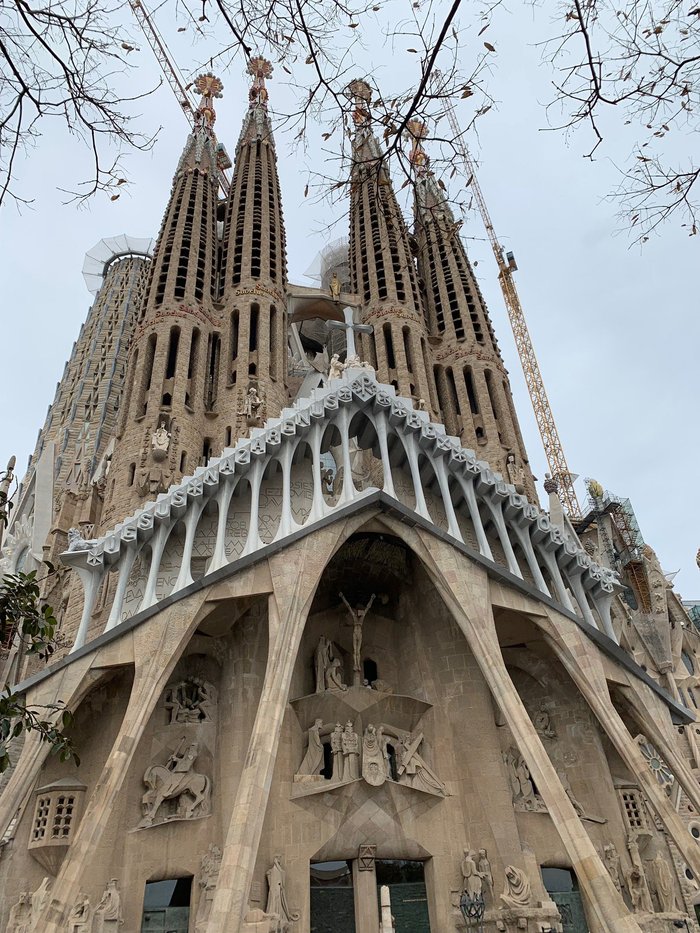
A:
(382, 268)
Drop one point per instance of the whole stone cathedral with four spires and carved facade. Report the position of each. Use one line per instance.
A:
(332, 668)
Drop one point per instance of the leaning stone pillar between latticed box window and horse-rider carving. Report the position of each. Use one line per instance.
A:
(160, 645)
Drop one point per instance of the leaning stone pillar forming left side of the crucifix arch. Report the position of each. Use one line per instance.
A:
(294, 582)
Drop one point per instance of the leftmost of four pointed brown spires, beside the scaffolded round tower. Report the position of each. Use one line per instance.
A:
(171, 382)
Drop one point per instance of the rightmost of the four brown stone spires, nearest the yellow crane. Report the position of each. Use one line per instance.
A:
(473, 390)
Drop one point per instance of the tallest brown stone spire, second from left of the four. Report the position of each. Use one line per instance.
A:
(253, 270)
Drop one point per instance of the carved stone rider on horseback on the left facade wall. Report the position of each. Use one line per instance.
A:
(176, 780)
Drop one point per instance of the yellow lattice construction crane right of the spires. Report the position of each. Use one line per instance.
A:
(533, 377)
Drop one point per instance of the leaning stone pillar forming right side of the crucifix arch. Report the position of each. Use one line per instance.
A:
(465, 590)
